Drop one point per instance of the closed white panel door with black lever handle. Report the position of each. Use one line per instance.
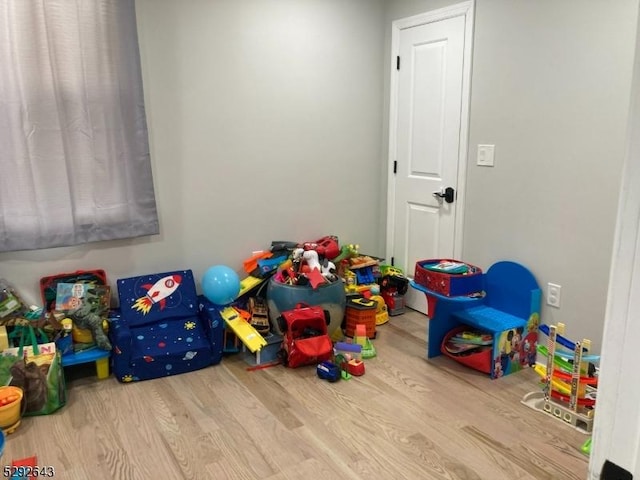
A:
(428, 141)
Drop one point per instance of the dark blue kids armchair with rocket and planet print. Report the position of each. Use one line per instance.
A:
(162, 327)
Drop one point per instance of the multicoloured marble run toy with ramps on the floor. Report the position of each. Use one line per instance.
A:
(569, 390)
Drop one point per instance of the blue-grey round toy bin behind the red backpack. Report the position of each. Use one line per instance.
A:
(330, 296)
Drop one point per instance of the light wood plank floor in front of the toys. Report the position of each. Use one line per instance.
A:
(406, 418)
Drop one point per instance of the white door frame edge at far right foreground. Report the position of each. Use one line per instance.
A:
(616, 428)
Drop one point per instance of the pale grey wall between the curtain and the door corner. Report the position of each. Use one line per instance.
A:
(265, 121)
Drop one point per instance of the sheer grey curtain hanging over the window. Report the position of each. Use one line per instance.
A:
(74, 149)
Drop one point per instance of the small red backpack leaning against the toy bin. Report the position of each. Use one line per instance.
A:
(306, 341)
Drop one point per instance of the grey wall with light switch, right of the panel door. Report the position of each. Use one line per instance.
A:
(550, 88)
